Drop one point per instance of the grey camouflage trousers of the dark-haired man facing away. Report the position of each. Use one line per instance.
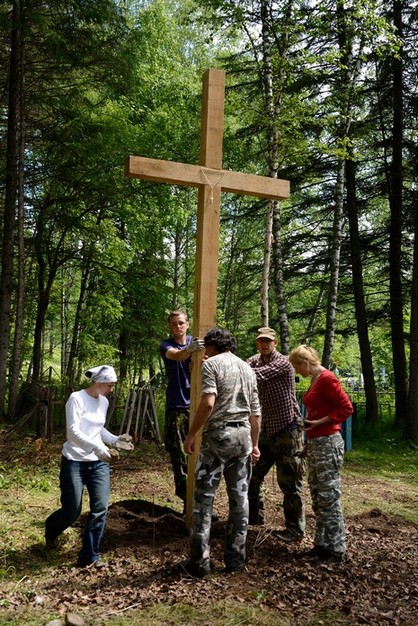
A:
(224, 452)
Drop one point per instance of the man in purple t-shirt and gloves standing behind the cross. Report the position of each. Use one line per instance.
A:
(176, 351)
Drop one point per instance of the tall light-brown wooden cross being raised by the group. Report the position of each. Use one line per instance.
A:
(210, 179)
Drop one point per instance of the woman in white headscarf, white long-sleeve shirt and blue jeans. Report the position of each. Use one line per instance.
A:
(85, 463)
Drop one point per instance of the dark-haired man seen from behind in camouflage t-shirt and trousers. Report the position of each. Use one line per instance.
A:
(229, 413)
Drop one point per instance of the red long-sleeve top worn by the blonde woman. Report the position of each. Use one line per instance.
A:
(327, 397)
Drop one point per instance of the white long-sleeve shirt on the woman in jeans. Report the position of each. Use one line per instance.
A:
(85, 419)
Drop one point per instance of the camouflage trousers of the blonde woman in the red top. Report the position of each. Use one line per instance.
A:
(325, 459)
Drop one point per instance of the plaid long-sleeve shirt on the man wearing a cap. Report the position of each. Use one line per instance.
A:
(277, 392)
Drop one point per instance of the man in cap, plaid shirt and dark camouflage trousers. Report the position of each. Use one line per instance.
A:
(281, 440)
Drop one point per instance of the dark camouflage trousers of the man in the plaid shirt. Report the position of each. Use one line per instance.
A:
(283, 451)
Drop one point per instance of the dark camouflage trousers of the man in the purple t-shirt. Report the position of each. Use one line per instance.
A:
(176, 429)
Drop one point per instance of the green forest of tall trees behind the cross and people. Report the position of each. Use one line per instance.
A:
(320, 92)
